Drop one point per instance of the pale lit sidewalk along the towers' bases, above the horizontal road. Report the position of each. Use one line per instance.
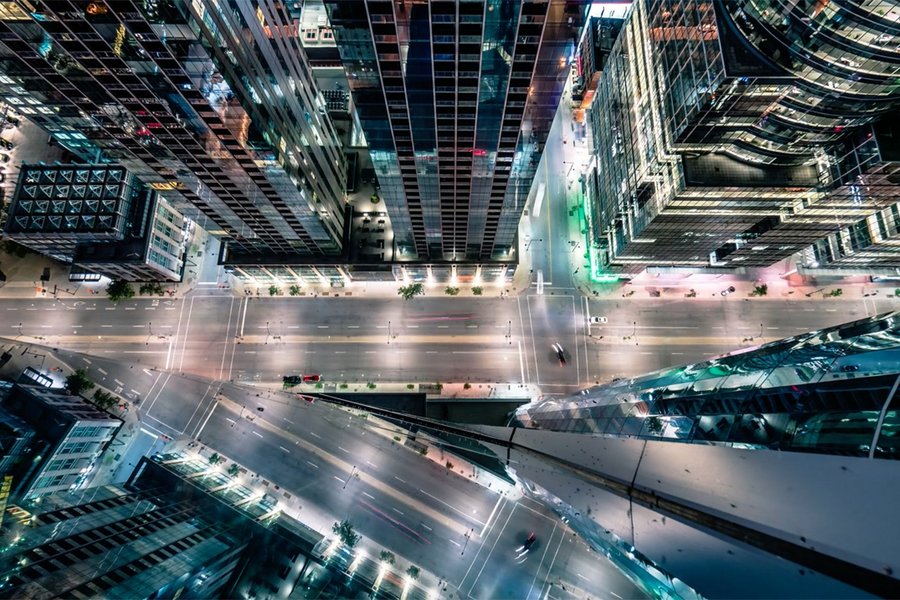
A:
(23, 281)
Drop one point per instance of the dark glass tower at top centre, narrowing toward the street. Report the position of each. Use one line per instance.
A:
(456, 98)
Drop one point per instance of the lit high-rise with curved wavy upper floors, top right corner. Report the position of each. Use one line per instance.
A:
(732, 134)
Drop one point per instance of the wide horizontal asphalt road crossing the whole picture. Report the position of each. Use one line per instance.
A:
(428, 339)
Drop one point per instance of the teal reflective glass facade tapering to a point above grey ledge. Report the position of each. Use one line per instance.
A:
(831, 391)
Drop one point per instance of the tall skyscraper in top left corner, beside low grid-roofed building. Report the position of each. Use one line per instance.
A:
(212, 104)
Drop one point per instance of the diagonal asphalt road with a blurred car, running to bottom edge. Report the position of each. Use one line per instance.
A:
(346, 466)
